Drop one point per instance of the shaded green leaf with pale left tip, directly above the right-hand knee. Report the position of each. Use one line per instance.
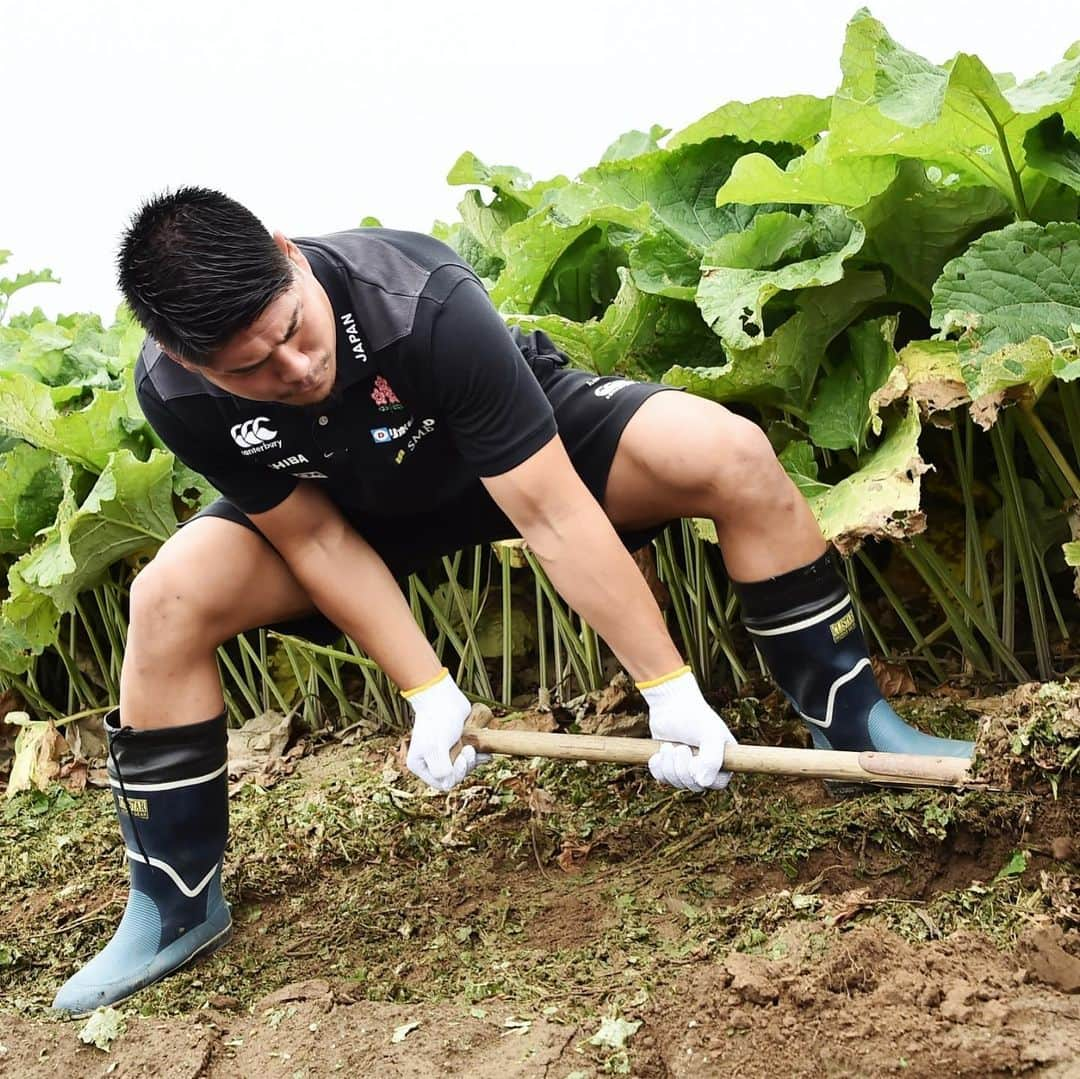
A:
(781, 371)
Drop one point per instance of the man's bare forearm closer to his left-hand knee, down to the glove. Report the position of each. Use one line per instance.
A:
(353, 587)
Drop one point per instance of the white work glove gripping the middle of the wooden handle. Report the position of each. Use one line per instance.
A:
(679, 713)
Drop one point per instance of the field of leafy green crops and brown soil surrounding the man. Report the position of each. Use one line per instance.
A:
(888, 281)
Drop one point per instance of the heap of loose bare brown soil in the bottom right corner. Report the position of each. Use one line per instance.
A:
(872, 1005)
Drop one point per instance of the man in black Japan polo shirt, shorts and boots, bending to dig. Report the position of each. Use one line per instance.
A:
(363, 409)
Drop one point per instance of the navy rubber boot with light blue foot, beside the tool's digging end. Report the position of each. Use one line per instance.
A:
(805, 630)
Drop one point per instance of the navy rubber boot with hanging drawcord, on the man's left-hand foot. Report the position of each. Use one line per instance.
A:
(171, 793)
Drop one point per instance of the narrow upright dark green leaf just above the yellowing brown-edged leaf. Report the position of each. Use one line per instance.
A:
(841, 416)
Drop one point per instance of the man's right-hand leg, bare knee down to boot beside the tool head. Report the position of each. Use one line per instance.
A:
(682, 456)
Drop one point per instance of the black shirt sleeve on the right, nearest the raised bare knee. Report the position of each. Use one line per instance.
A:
(497, 414)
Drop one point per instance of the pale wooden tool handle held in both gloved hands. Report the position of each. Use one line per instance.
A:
(892, 768)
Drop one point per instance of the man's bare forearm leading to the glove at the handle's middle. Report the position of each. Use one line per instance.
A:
(593, 572)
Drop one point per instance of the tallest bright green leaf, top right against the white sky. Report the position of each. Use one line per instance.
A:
(894, 102)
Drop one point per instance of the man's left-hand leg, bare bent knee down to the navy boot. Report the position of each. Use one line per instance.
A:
(168, 751)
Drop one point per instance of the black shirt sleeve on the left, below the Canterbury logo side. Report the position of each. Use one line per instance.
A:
(253, 491)
